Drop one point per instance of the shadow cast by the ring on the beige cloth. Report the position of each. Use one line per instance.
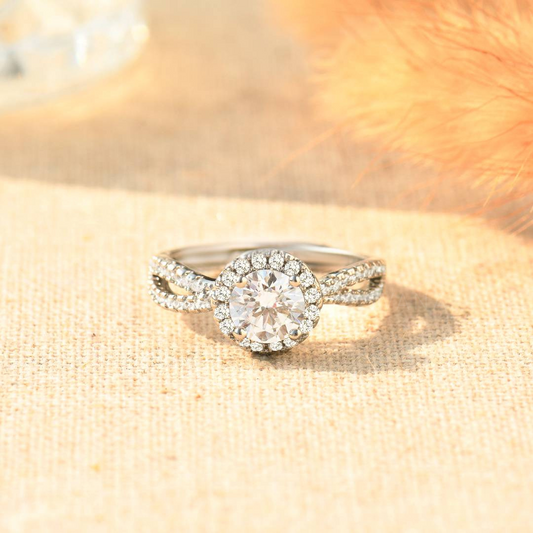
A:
(414, 320)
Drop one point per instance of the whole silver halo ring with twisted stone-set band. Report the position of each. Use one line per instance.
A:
(268, 297)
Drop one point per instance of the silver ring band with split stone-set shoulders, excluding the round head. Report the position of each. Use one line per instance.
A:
(341, 284)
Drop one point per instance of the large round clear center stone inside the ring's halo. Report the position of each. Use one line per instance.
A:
(268, 307)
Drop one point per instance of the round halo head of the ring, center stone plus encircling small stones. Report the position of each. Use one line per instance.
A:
(273, 302)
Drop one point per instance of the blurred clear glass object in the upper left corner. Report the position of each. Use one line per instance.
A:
(48, 47)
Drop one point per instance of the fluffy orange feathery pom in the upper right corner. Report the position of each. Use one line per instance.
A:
(444, 81)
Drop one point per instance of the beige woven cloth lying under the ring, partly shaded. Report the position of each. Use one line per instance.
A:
(415, 414)
